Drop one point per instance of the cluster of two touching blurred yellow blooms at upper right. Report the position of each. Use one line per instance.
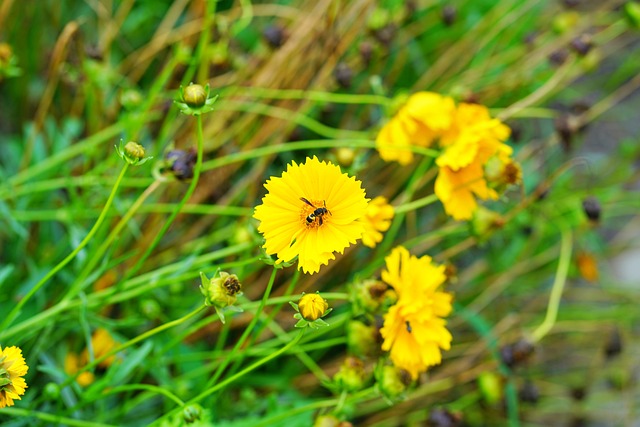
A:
(468, 138)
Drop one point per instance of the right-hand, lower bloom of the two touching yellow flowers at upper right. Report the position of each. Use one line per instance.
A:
(472, 140)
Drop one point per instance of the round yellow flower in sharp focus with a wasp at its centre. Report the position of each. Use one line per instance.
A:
(311, 211)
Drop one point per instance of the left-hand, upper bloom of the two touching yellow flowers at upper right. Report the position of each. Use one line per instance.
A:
(424, 117)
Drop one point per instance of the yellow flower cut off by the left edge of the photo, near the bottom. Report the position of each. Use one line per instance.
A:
(12, 370)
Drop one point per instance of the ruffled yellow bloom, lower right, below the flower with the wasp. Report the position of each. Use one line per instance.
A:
(414, 330)
